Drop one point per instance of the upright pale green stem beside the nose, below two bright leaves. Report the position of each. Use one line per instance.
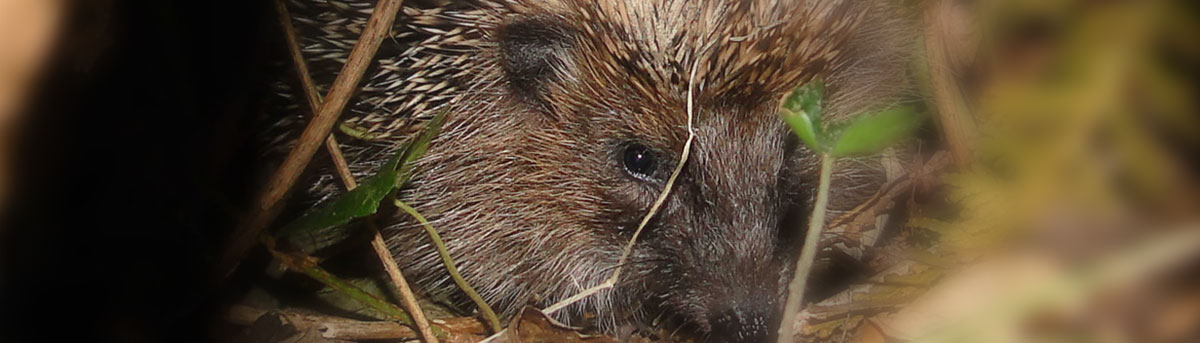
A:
(808, 254)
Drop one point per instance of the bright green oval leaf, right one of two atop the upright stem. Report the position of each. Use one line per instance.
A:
(872, 134)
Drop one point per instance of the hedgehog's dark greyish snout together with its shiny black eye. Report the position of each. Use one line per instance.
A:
(716, 255)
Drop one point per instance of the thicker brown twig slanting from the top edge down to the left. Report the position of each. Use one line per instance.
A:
(271, 200)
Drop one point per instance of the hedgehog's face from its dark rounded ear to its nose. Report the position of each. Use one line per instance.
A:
(602, 125)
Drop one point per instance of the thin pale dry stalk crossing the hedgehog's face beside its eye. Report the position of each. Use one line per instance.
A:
(655, 209)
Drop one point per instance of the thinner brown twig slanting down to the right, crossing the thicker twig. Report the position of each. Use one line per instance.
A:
(310, 89)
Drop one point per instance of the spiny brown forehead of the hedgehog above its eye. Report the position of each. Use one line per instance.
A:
(629, 63)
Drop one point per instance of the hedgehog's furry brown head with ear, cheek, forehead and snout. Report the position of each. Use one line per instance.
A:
(572, 125)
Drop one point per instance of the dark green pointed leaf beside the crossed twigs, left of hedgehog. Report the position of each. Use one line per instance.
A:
(325, 226)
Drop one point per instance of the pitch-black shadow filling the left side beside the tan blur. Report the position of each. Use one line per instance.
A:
(131, 170)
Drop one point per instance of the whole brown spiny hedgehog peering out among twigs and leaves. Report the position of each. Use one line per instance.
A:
(566, 119)
